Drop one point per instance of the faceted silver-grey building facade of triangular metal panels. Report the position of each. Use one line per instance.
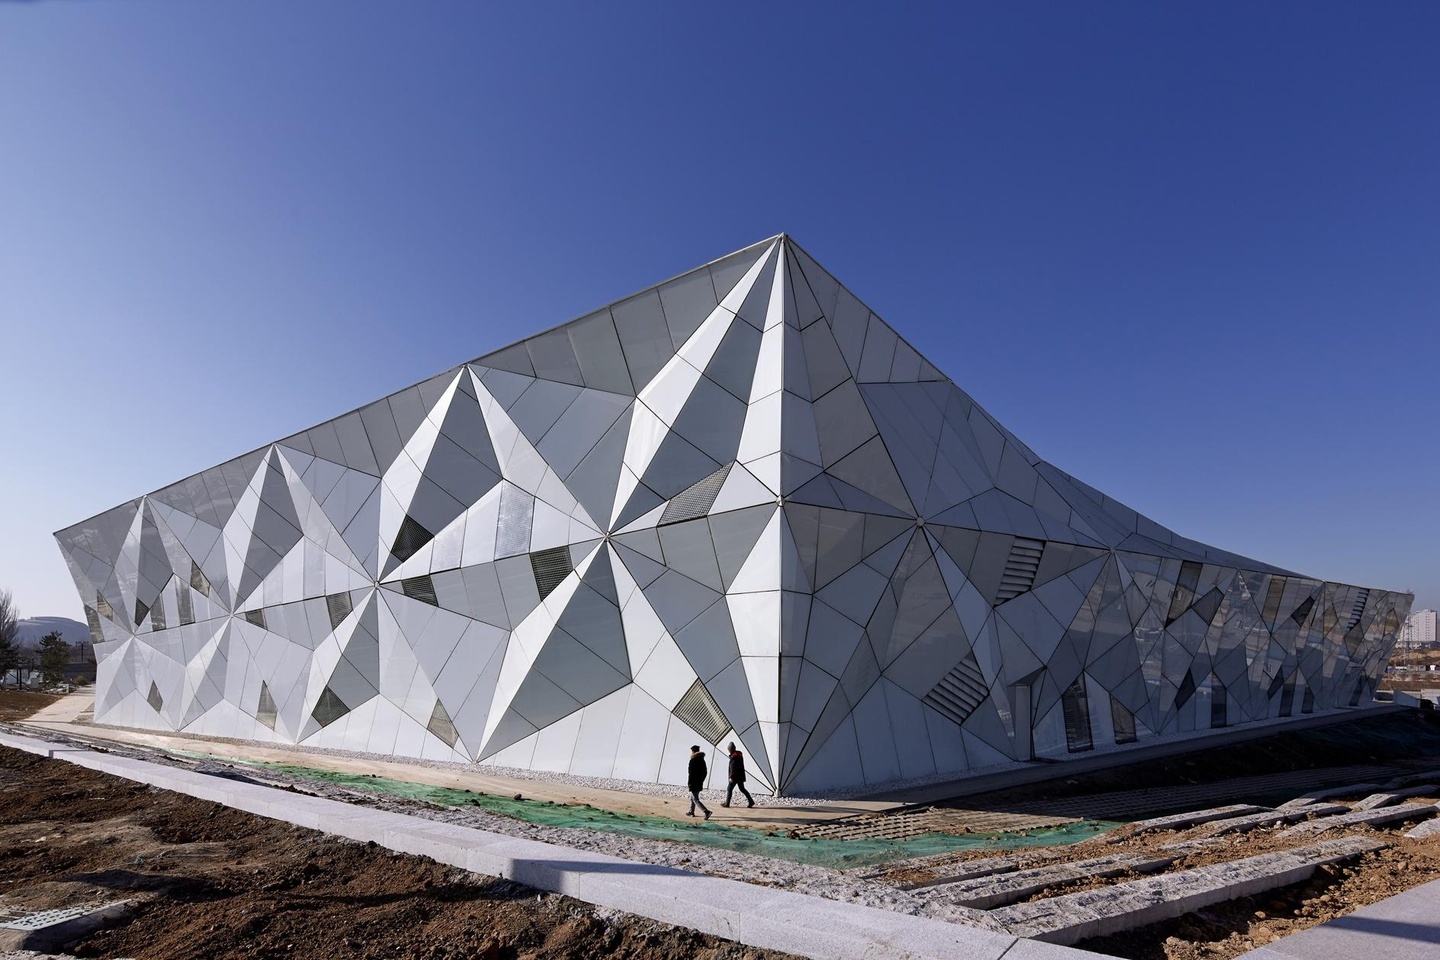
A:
(737, 506)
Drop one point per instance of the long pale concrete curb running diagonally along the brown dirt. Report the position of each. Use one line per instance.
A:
(752, 916)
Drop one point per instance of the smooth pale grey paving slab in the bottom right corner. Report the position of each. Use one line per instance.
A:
(1403, 928)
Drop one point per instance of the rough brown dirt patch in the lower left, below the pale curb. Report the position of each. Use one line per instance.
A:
(210, 882)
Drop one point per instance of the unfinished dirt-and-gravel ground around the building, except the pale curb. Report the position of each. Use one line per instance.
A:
(1212, 853)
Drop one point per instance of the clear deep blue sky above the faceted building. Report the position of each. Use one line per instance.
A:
(1187, 253)
